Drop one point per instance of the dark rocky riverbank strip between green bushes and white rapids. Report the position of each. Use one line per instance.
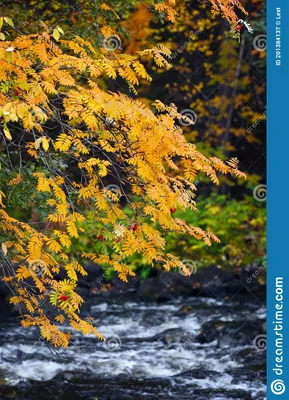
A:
(211, 281)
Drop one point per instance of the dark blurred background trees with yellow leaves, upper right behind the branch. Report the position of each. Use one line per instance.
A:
(206, 80)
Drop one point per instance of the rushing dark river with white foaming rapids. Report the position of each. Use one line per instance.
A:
(153, 351)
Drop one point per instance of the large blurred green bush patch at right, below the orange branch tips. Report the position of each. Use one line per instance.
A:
(242, 237)
